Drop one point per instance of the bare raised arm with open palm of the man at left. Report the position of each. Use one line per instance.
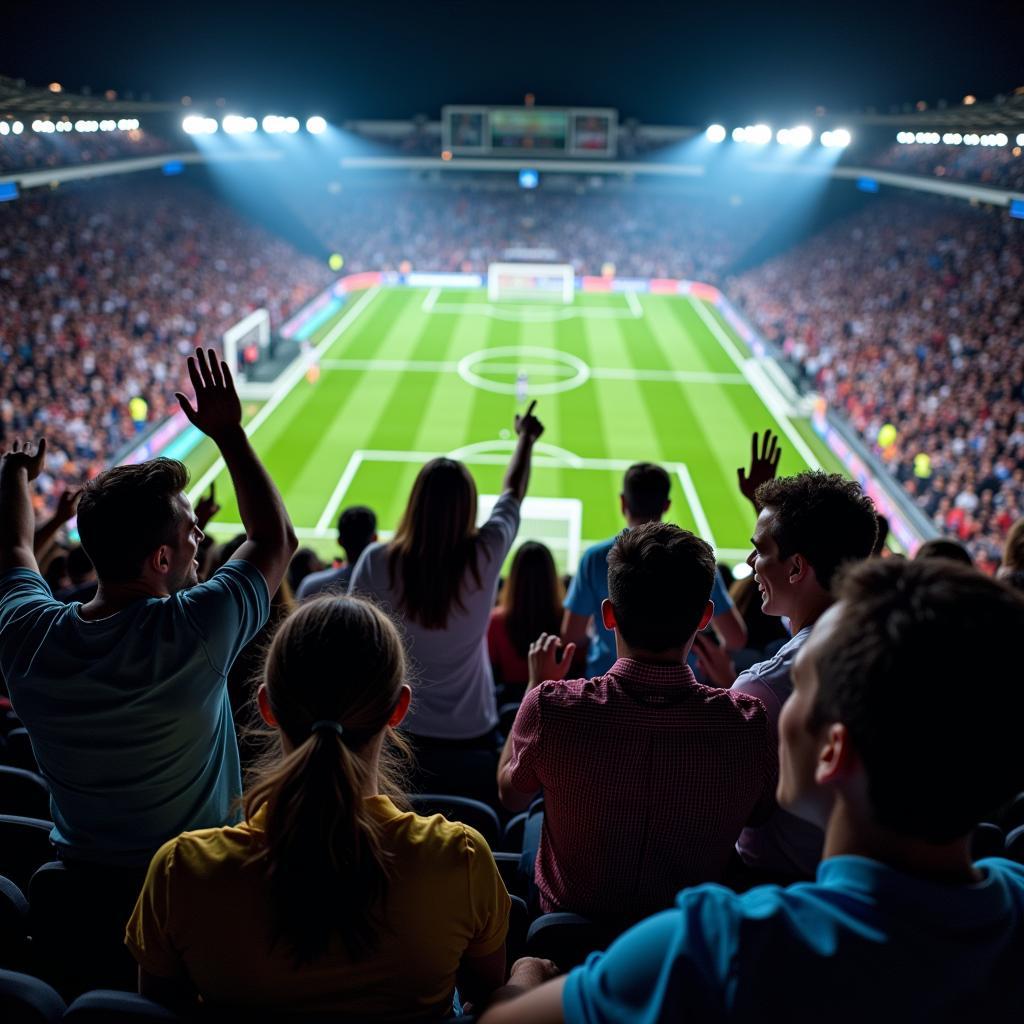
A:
(271, 541)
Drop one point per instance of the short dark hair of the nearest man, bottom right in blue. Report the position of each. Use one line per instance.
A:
(925, 702)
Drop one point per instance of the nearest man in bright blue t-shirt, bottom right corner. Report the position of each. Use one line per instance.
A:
(898, 741)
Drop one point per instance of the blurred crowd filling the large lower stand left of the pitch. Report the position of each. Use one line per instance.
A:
(104, 289)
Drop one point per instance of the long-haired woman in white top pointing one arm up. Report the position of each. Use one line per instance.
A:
(440, 574)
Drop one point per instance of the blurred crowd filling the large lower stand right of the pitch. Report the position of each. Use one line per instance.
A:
(910, 316)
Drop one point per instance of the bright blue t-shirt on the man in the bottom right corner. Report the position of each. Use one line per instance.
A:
(864, 943)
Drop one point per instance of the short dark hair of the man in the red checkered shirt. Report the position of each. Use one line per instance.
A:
(660, 580)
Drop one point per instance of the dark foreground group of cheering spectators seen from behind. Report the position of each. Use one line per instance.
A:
(750, 844)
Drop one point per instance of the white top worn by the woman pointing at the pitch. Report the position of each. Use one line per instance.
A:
(453, 685)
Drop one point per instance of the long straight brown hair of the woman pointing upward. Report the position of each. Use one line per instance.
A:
(436, 544)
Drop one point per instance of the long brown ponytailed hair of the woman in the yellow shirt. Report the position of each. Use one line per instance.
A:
(335, 660)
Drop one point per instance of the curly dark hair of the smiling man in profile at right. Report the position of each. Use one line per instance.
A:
(823, 517)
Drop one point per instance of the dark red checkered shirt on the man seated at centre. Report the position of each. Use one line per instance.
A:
(649, 779)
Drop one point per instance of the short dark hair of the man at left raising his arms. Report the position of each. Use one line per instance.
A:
(130, 511)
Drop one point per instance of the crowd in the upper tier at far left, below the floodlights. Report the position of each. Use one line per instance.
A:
(32, 151)
